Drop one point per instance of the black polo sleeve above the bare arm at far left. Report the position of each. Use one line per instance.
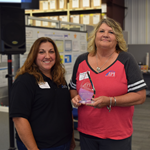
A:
(22, 96)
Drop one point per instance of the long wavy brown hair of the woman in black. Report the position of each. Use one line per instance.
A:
(32, 68)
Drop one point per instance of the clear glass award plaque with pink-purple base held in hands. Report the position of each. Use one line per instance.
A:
(87, 90)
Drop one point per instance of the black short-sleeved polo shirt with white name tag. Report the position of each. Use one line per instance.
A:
(47, 108)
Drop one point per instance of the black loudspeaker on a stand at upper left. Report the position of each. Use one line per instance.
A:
(12, 30)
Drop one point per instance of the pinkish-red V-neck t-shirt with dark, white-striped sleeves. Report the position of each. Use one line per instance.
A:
(121, 77)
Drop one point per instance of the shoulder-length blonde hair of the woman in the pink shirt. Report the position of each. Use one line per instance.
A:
(121, 43)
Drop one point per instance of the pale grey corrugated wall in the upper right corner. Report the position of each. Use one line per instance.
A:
(137, 21)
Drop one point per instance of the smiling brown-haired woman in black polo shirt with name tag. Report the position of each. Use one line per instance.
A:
(40, 101)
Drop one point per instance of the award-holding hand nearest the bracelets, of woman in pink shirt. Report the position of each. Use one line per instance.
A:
(99, 102)
